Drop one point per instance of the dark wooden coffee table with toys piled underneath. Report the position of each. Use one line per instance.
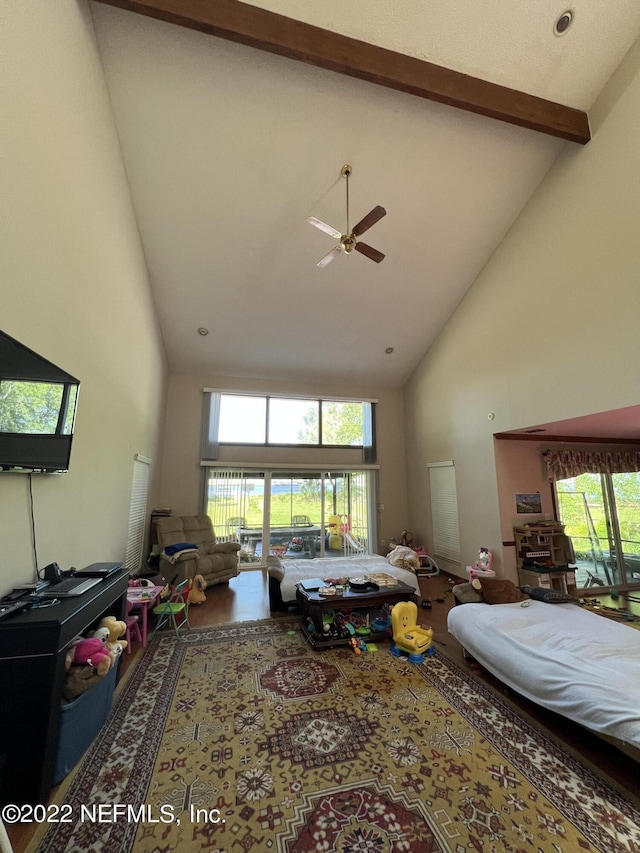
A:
(313, 606)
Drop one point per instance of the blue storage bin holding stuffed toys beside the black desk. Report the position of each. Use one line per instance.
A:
(80, 722)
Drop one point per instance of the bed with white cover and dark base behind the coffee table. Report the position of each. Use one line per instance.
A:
(285, 575)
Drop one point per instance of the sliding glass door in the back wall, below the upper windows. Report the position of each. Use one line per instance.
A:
(300, 514)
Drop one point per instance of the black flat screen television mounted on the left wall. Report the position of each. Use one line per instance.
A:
(37, 410)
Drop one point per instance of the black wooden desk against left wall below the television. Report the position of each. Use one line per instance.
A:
(33, 647)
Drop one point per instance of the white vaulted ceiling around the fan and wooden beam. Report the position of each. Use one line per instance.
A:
(229, 149)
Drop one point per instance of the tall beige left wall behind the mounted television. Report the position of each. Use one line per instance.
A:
(74, 287)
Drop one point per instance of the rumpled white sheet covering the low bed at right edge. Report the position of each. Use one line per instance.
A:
(562, 657)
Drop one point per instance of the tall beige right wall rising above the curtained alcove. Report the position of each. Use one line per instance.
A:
(548, 331)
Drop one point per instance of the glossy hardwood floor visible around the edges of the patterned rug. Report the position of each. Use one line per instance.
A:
(246, 598)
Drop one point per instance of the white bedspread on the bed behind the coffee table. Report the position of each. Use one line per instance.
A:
(336, 567)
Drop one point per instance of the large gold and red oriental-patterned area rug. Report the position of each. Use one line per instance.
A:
(241, 737)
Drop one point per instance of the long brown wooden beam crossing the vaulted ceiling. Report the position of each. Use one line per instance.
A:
(259, 28)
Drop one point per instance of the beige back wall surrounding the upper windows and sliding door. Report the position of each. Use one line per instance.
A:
(181, 483)
